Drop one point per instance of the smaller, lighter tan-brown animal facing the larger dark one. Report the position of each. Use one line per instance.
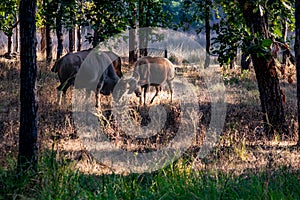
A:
(151, 71)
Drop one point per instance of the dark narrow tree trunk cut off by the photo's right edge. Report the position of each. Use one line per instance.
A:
(297, 55)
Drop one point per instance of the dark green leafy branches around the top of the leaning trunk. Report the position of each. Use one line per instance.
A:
(233, 34)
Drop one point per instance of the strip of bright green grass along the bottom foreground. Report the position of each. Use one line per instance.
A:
(59, 180)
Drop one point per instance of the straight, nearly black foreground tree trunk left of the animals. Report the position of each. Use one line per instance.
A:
(28, 149)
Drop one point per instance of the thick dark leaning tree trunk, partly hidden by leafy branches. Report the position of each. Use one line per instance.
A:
(267, 79)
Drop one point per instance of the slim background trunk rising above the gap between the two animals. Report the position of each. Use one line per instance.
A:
(133, 52)
